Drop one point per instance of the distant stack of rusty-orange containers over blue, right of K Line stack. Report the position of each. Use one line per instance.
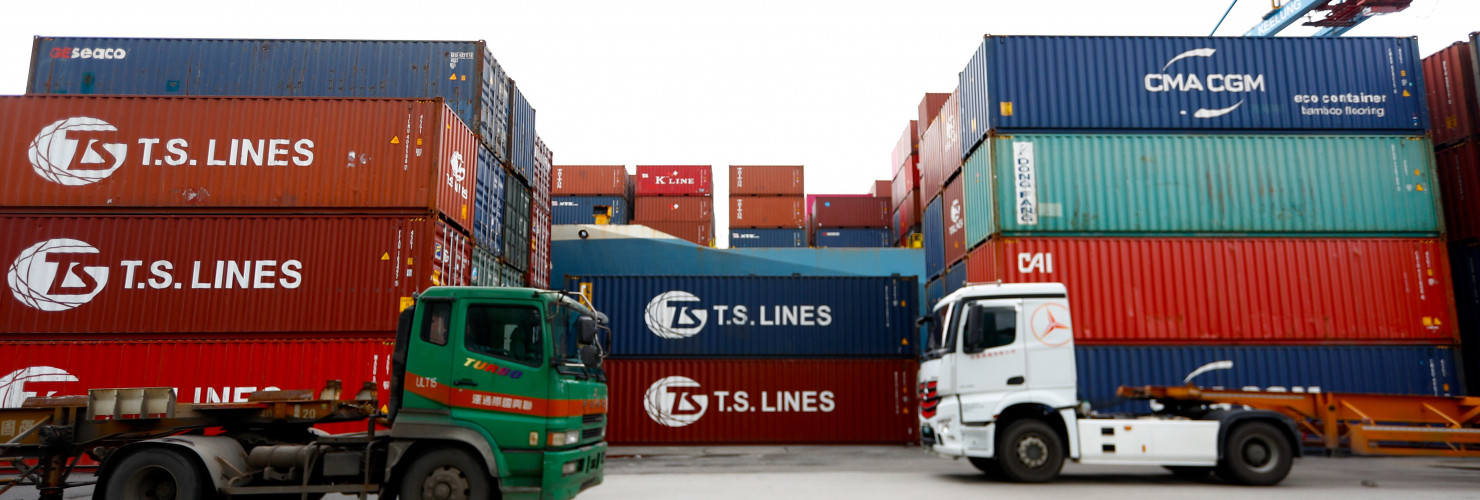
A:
(767, 208)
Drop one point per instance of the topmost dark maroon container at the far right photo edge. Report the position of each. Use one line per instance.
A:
(1450, 78)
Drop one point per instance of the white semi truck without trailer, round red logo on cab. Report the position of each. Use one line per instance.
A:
(998, 388)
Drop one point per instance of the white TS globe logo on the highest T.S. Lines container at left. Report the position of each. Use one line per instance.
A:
(75, 152)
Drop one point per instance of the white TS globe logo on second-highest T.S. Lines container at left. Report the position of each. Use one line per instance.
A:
(54, 276)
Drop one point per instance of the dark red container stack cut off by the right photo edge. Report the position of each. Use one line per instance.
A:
(1454, 103)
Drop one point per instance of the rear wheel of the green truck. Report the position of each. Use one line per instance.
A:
(156, 474)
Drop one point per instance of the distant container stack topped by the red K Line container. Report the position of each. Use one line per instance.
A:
(677, 200)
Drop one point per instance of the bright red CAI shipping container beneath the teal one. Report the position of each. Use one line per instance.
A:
(1238, 291)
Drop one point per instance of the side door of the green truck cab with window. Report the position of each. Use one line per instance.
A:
(499, 374)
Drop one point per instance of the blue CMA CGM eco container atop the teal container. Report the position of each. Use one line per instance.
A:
(1192, 84)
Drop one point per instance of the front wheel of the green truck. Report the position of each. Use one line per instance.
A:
(448, 474)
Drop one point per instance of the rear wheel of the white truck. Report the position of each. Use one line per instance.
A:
(1256, 455)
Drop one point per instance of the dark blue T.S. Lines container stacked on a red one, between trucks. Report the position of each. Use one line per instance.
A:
(794, 317)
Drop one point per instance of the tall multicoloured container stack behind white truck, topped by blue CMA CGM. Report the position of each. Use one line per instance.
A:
(1254, 200)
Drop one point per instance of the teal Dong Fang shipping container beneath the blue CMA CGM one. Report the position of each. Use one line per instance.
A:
(1201, 184)
